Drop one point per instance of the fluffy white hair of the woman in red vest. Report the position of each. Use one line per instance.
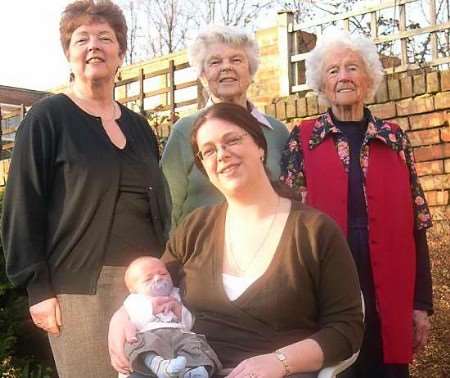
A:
(333, 38)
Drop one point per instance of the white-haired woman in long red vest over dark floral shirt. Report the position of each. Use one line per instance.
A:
(360, 170)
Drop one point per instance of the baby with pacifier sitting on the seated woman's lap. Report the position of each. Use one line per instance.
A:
(165, 347)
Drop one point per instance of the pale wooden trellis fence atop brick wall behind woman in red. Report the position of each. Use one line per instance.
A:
(392, 25)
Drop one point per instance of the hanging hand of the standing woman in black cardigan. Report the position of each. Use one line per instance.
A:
(47, 315)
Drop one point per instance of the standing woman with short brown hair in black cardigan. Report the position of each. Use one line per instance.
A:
(85, 195)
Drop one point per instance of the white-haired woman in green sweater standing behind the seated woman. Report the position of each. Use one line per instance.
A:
(226, 60)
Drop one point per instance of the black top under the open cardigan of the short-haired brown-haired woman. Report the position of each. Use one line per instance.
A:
(132, 233)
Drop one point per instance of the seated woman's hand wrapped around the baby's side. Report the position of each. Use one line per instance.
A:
(121, 330)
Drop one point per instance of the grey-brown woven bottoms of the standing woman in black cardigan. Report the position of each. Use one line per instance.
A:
(81, 350)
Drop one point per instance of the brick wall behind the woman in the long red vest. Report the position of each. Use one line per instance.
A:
(420, 104)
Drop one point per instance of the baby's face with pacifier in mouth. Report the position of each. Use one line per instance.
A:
(152, 278)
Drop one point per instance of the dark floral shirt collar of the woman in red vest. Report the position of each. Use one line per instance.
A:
(376, 129)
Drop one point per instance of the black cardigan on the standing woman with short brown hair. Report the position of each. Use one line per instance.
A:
(62, 188)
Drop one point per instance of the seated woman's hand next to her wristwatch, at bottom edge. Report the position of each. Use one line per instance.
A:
(263, 366)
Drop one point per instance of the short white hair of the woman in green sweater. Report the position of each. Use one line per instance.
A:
(227, 35)
